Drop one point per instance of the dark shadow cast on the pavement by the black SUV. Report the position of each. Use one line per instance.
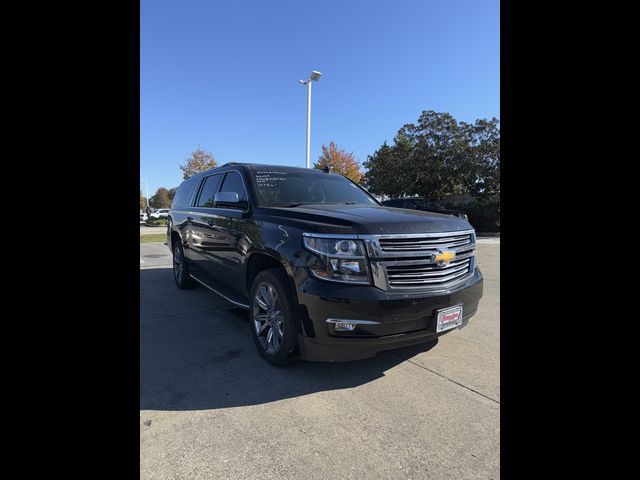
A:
(197, 353)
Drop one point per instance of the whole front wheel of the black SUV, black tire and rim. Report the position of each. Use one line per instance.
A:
(275, 336)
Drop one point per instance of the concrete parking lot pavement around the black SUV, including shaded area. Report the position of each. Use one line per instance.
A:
(211, 408)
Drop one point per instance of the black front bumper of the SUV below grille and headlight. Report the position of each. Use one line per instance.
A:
(401, 319)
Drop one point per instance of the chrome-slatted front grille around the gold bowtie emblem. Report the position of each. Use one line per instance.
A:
(409, 262)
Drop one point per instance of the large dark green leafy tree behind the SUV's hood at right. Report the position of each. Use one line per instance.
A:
(436, 157)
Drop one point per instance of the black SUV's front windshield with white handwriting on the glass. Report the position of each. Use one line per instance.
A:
(281, 187)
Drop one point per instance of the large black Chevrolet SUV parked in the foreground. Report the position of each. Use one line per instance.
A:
(326, 272)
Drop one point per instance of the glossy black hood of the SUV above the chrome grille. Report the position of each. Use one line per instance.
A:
(365, 219)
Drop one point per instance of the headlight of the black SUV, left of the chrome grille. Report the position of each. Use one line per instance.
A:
(338, 259)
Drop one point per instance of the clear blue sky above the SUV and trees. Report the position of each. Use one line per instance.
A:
(223, 74)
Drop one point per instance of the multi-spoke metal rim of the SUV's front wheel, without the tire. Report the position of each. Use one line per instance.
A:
(268, 318)
